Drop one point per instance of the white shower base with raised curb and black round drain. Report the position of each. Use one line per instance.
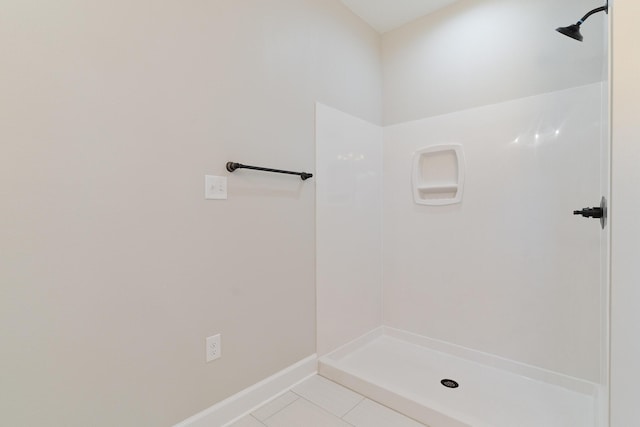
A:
(404, 371)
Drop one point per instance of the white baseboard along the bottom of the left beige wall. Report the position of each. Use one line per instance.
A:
(244, 402)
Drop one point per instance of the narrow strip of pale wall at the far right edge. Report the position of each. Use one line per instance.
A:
(625, 239)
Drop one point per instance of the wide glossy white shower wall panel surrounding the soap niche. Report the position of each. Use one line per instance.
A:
(510, 271)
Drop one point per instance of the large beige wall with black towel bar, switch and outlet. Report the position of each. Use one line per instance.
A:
(113, 267)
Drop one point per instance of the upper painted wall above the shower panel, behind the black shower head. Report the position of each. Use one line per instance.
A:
(480, 52)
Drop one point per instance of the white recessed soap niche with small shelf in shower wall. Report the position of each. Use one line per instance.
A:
(438, 175)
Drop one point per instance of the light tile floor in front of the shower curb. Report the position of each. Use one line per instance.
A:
(318, 402)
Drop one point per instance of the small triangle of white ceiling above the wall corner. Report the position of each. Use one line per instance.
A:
(386, 15)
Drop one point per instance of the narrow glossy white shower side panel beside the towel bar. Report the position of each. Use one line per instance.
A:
(349, 227)
